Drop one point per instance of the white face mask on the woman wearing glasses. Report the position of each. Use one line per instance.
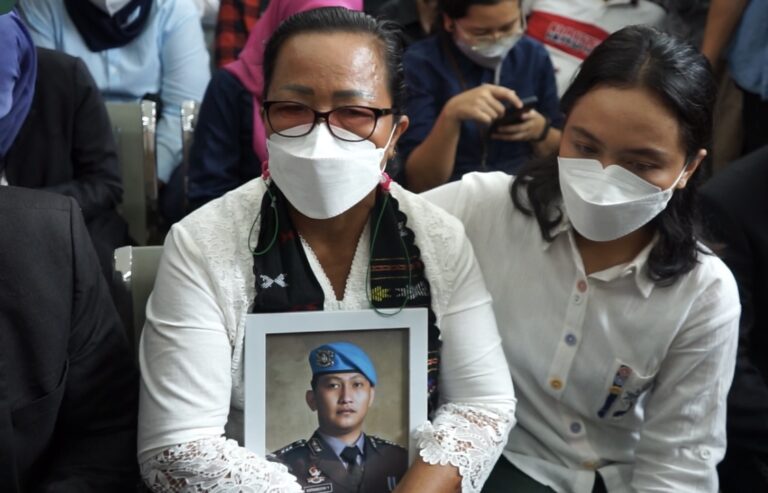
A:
(322, 176)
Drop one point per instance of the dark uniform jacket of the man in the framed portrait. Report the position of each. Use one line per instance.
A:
(319, 469)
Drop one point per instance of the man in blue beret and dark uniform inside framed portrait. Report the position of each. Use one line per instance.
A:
(339, 457)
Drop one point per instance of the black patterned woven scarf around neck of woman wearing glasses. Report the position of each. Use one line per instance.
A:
(285, 281)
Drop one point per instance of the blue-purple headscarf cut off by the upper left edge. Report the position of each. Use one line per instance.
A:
(18, 71)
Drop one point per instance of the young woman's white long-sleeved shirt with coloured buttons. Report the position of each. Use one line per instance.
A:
(612, 372)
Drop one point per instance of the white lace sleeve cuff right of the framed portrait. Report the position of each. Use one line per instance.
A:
(468, 437)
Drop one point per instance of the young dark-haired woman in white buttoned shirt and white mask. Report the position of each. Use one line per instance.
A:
(619, 327)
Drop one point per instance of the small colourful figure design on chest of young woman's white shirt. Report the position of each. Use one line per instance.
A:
(624, 387)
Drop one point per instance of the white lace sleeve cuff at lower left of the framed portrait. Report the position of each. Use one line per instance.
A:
(215, 465)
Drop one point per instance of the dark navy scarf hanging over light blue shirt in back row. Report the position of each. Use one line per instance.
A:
(101, 31)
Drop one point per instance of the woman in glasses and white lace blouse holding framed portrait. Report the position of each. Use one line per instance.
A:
(322, 229)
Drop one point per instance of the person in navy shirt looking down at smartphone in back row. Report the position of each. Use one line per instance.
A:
(461, 81)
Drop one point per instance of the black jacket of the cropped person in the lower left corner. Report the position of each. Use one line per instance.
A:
(68, 386)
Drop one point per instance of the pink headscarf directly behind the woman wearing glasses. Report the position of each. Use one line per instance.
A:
(248, 66)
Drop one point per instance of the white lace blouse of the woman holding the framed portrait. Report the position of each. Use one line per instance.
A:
(191, 351)
